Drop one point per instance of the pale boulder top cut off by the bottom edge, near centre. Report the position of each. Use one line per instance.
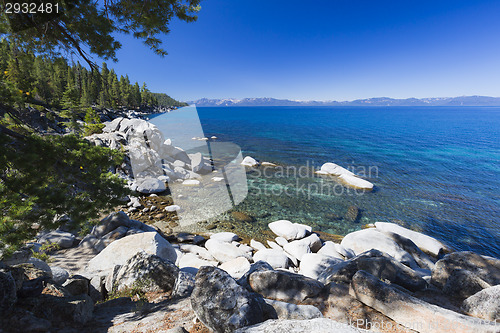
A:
(317, 325)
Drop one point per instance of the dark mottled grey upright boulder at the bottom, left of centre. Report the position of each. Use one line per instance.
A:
(223, 305)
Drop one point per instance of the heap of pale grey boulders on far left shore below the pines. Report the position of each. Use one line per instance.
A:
(152, 161)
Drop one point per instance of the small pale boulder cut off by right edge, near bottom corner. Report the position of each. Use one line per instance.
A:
(484, 304)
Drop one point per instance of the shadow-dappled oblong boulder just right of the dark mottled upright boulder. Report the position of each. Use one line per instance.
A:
(284, 286)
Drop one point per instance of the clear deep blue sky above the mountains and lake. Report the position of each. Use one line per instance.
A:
(325, 50)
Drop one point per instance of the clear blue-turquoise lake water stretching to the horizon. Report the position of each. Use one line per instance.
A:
(435, 169)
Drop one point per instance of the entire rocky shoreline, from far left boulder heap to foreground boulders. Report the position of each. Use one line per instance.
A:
(140, 271)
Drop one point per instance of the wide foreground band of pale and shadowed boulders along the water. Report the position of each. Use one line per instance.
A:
(253, 287)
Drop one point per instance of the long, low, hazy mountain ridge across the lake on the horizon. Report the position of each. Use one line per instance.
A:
(377, 101)
